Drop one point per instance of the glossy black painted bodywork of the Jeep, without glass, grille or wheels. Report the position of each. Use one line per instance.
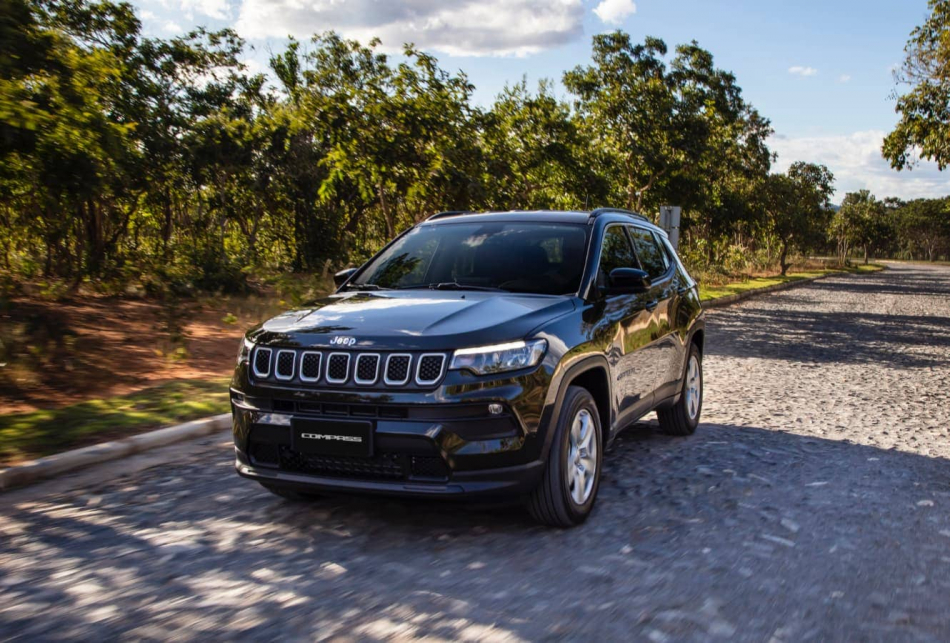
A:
(629, 348)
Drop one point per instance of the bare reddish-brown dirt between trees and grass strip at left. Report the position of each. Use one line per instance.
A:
(88, 347)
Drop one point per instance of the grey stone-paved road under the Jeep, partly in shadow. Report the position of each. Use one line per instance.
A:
(812, 503)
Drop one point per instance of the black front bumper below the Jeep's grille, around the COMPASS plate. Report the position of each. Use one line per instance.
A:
(441, 443)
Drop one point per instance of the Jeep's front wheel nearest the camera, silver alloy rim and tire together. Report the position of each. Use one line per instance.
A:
(566, 494)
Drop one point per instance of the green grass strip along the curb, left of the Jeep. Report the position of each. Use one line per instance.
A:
(30, 435)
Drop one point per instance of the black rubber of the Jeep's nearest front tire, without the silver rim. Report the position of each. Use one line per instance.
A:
(551, 503)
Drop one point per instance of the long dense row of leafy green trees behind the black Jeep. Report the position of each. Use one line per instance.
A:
(166, 163)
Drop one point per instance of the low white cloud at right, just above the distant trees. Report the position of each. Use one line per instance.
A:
(856, 161)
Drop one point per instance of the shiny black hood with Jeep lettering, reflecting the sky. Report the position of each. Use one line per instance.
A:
(405, 320)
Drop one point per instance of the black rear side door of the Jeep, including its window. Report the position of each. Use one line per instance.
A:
(660, 300)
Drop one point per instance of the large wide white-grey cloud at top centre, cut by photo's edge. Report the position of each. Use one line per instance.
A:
(460, 28)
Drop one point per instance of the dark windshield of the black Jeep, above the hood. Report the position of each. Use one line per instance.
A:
(525, 257)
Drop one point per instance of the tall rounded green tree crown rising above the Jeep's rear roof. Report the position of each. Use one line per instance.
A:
(658, 124)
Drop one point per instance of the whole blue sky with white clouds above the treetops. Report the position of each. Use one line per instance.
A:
(820, 70)
